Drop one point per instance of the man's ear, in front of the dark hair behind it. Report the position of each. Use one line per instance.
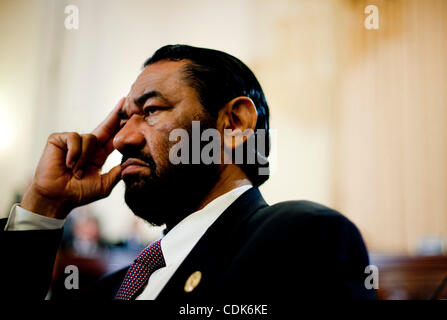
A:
(237, 121)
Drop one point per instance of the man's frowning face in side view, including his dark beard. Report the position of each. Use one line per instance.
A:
(160, 101)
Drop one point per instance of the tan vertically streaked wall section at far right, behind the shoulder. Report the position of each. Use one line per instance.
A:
(391, 163)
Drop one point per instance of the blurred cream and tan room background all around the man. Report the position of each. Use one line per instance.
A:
(359, 114)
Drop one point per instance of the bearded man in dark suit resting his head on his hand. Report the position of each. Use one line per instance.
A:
(222, 241)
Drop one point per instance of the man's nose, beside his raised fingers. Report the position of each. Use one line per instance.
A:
(130, 135)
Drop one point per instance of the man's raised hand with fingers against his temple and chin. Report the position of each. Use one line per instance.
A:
(68, 173)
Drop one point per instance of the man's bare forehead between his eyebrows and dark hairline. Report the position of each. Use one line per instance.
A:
(160, 76)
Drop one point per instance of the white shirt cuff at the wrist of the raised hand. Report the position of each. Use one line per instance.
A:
(21, 220)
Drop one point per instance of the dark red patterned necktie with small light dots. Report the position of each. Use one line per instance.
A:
(149, 260)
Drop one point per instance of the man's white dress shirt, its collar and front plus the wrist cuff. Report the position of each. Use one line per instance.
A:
(176, 244)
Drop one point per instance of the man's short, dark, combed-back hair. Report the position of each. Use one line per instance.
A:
(218, 78)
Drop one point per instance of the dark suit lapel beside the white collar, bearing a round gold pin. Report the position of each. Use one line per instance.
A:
(208, 255)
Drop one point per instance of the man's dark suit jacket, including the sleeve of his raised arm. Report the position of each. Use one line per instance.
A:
(290, 250)
